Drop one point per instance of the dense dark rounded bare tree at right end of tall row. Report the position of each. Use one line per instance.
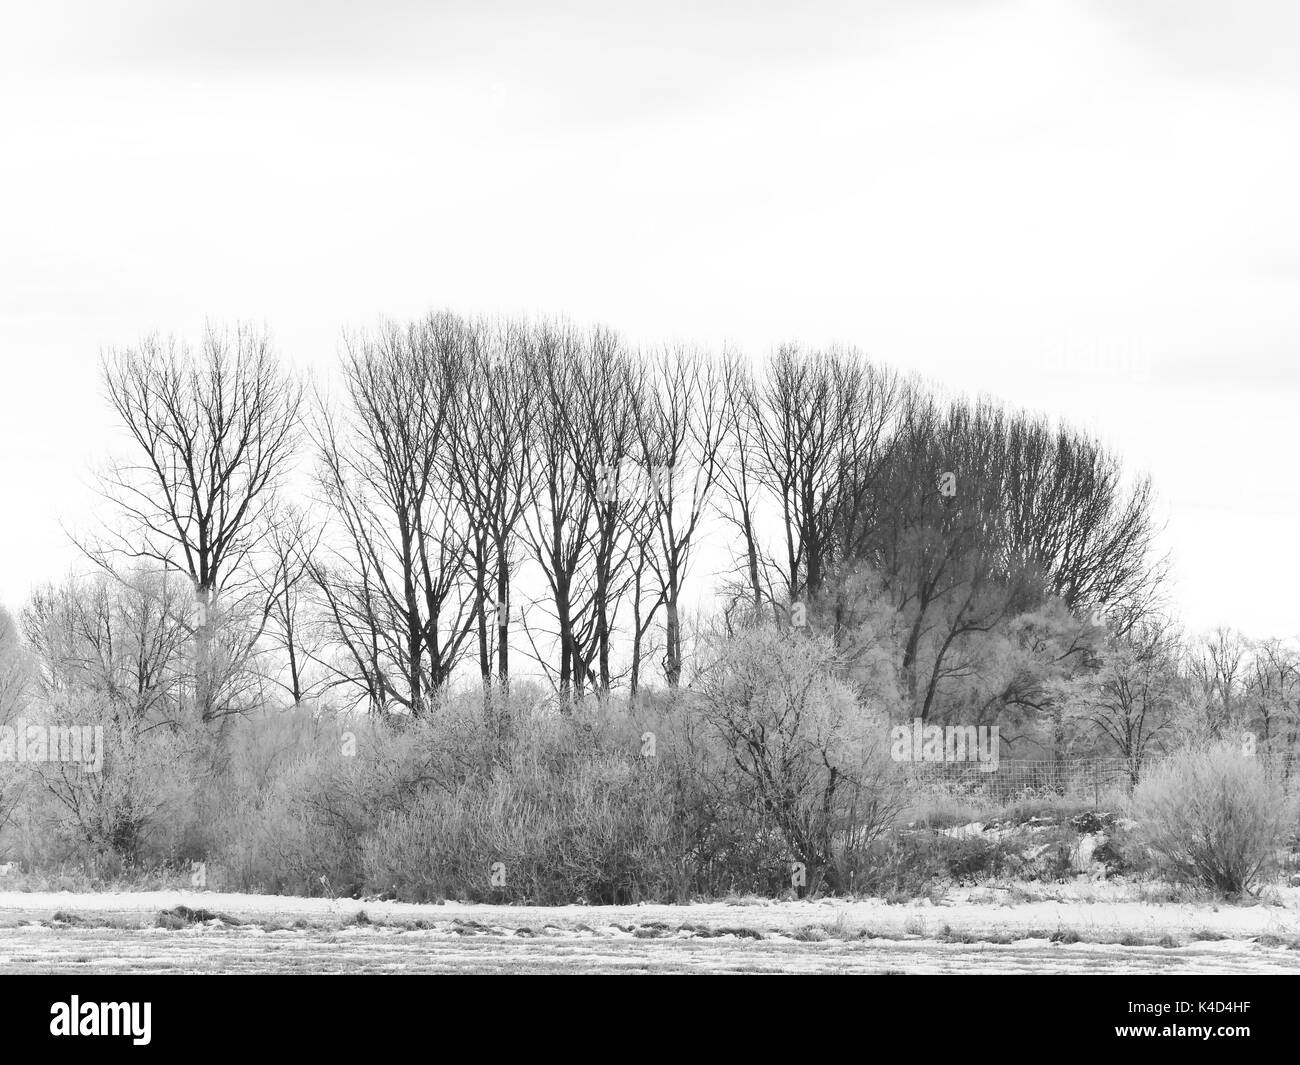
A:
(970, 517)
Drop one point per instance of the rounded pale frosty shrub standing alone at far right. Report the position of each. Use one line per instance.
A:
(1211, 817)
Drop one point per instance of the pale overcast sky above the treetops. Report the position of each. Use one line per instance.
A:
(1086, 209)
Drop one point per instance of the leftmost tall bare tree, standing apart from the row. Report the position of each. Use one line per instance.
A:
(215, 435)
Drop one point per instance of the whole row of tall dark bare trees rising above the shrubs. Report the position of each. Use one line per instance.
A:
(475, 493)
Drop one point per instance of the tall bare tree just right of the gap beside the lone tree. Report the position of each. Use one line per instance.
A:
(395, 586)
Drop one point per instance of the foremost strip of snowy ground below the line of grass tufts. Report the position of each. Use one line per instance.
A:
(392, 951)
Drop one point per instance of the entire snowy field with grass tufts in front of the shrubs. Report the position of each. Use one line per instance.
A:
(1086, 928)
